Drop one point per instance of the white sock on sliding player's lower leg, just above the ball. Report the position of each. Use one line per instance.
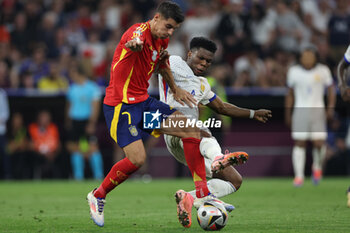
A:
(218, 188)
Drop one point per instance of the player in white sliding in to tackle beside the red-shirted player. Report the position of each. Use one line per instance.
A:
(187, 75)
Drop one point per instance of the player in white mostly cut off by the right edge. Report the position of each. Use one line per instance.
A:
(343, 73)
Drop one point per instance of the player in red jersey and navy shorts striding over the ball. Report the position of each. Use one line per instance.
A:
(140, 52)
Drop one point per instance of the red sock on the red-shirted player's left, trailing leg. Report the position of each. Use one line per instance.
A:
(119, 172)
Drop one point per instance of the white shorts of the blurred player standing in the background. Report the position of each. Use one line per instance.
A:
(309, 124)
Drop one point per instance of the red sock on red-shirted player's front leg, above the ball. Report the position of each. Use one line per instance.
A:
(195, 162)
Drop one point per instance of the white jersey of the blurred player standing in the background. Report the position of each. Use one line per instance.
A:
(309, 85)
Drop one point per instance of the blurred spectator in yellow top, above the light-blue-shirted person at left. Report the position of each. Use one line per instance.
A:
(54, 82)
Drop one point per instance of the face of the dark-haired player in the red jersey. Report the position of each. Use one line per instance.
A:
(164, 28)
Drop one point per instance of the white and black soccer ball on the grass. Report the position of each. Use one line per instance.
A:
(212, 216)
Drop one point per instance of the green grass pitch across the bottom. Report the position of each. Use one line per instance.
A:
(262, 205)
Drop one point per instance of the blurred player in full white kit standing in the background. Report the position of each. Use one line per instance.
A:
(307, 82)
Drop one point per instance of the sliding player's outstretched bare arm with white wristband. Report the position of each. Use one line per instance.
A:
(231, 110)
